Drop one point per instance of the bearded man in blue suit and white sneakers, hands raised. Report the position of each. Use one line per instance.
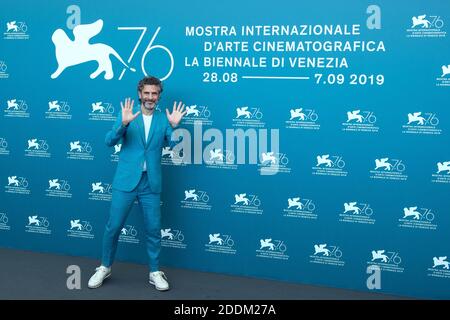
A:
(143, 132)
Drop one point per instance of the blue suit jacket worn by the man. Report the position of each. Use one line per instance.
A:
(135, 150)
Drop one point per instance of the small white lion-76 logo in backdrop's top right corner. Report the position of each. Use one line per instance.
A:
(426, 26)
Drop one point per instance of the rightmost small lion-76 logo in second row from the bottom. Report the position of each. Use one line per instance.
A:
(417, 218)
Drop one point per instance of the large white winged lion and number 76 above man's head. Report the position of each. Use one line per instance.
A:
(70, 53)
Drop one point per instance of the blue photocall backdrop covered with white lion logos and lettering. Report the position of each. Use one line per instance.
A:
(339, 173)
